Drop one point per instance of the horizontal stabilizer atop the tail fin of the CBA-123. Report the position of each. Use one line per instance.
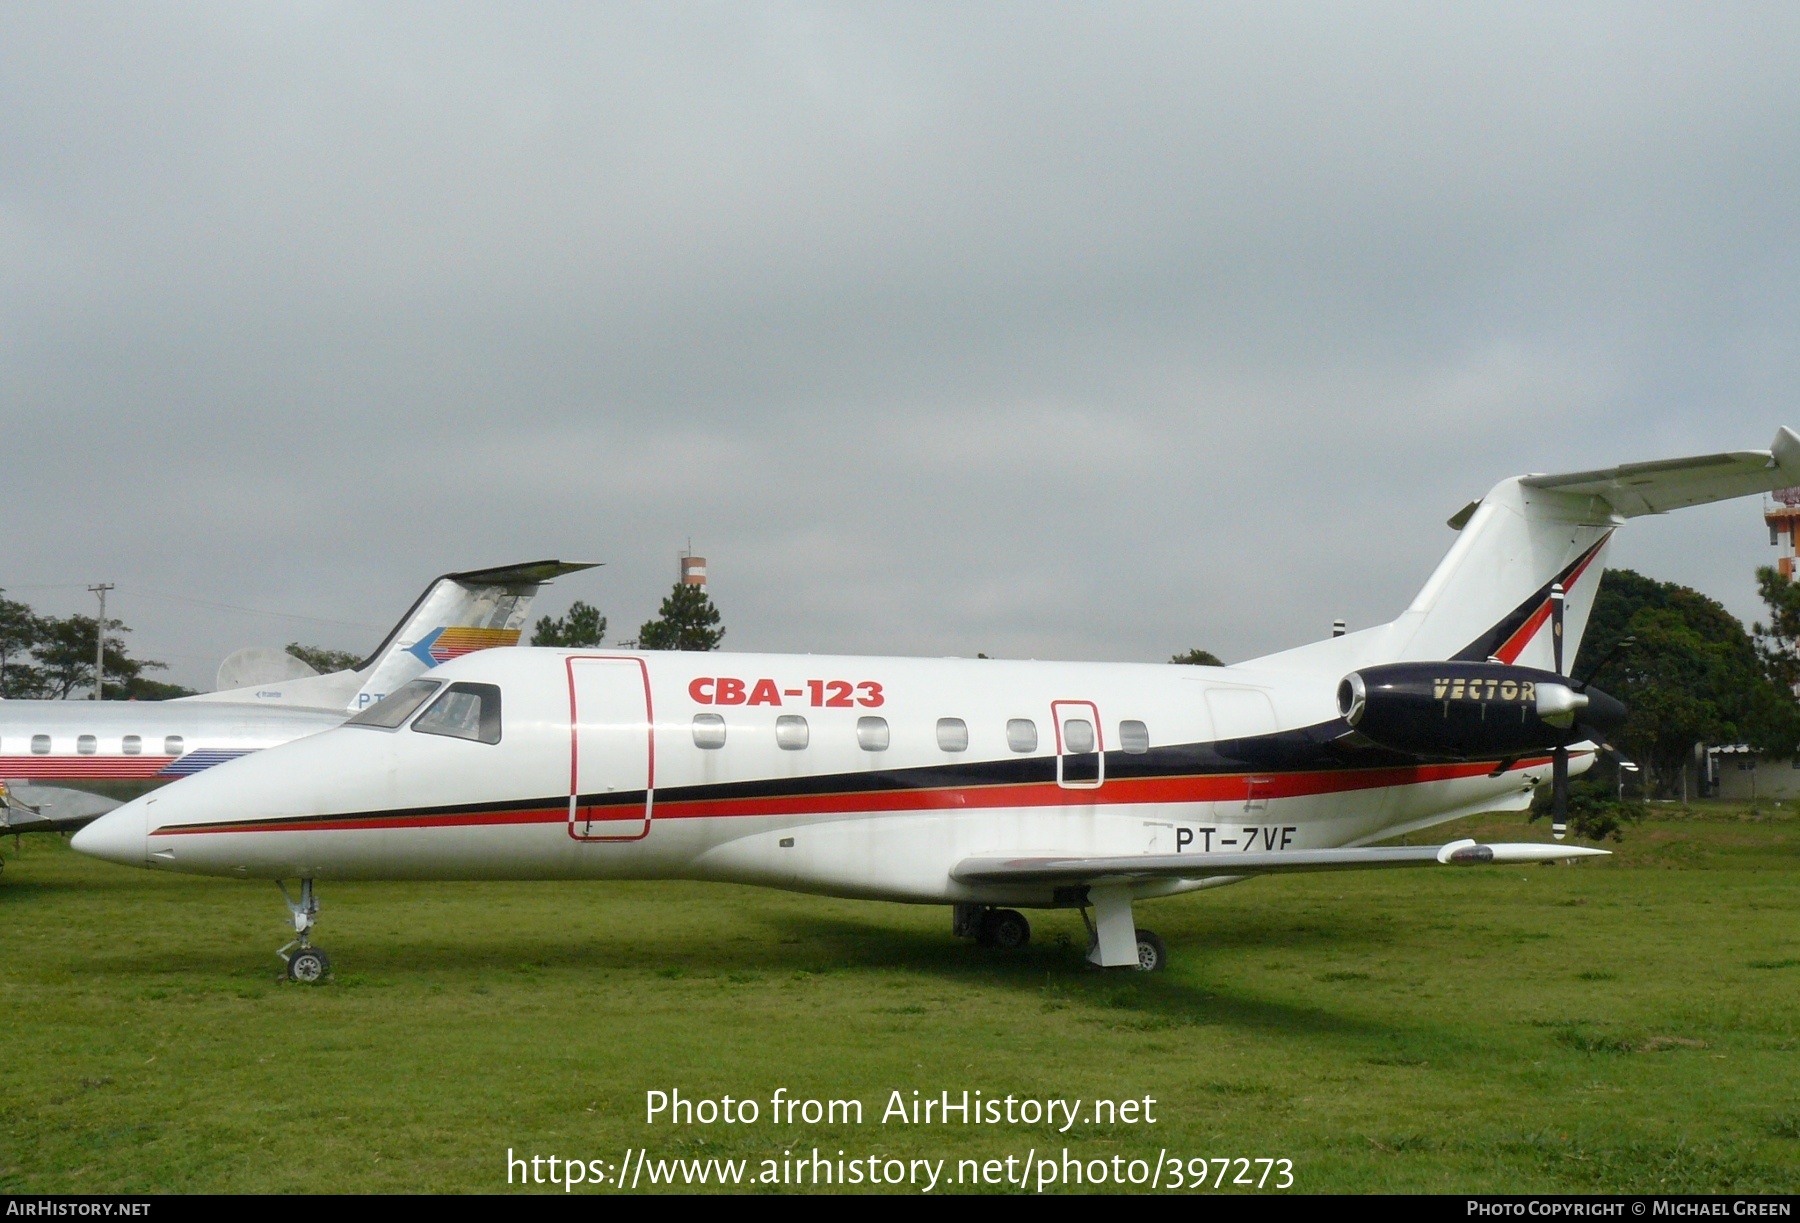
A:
(1639, 489)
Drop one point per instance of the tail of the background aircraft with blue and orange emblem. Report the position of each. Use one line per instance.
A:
(456, 615)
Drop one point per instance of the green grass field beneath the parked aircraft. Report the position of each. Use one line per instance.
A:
(1624, 1026)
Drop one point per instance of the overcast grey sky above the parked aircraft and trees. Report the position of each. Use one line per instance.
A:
(1045, 331)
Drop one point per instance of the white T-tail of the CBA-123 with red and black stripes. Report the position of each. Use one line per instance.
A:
(1491, 595)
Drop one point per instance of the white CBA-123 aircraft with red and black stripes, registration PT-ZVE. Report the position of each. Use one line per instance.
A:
(987, 786)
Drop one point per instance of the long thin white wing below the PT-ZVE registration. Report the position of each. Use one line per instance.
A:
(1144, 867)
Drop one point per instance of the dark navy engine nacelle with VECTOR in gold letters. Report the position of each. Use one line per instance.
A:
(1473, 711)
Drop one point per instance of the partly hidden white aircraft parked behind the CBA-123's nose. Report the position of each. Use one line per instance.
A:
(51, 748)
